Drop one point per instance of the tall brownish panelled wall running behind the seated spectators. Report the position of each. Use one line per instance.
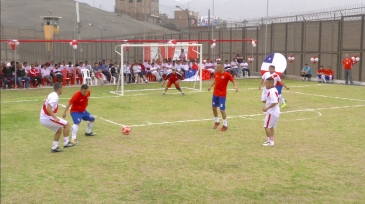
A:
(328, 40)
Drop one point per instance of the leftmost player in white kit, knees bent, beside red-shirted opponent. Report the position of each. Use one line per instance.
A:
(49, 119)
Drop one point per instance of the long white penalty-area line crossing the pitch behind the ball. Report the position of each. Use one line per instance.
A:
(210, 119)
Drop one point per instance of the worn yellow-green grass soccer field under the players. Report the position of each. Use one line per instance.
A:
(174, 156)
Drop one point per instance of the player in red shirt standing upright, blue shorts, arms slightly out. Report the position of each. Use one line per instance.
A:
(220, 83)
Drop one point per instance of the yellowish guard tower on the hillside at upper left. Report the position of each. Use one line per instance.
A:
(50, 25)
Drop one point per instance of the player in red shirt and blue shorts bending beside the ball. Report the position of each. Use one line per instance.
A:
(79, 102)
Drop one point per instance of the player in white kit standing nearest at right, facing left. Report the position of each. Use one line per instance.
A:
(272, 111)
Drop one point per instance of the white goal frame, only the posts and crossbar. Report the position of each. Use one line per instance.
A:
(120, 84)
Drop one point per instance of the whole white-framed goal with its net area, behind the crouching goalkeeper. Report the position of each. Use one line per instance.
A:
(158, 61)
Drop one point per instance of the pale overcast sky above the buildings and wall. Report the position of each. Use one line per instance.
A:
(239, 9)
